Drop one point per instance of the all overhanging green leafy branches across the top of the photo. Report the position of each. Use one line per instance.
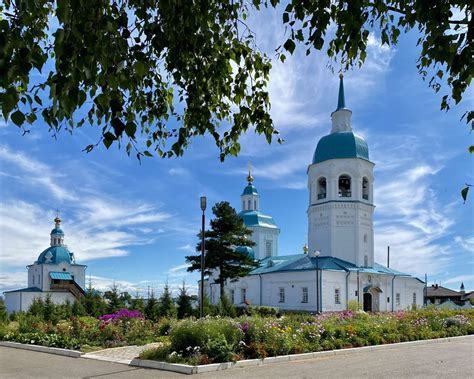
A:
(196, 64)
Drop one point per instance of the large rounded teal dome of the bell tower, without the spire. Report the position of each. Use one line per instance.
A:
(341, 145)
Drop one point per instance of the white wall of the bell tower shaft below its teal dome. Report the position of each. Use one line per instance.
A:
(337, 225)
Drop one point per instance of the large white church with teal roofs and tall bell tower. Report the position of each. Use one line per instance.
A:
(337, 267)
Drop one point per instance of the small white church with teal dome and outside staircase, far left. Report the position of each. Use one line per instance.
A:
(55, 273)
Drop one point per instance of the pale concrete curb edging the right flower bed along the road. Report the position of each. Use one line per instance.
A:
(189, 370)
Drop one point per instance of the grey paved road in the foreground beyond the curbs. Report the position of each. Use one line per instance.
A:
(453, 359)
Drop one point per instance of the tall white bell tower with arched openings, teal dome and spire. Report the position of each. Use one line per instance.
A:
(340, 184)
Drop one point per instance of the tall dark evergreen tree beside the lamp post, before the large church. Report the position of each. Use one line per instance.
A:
(227, 233)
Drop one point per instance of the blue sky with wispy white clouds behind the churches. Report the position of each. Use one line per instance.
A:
(134, 223)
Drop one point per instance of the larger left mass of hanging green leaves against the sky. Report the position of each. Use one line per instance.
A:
(139, 66)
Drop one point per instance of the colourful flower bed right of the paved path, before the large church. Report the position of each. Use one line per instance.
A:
(214, 340)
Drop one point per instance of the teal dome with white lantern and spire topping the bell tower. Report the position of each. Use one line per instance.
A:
(342, 142)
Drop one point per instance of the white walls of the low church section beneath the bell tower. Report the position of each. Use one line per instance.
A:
(264, 290)
